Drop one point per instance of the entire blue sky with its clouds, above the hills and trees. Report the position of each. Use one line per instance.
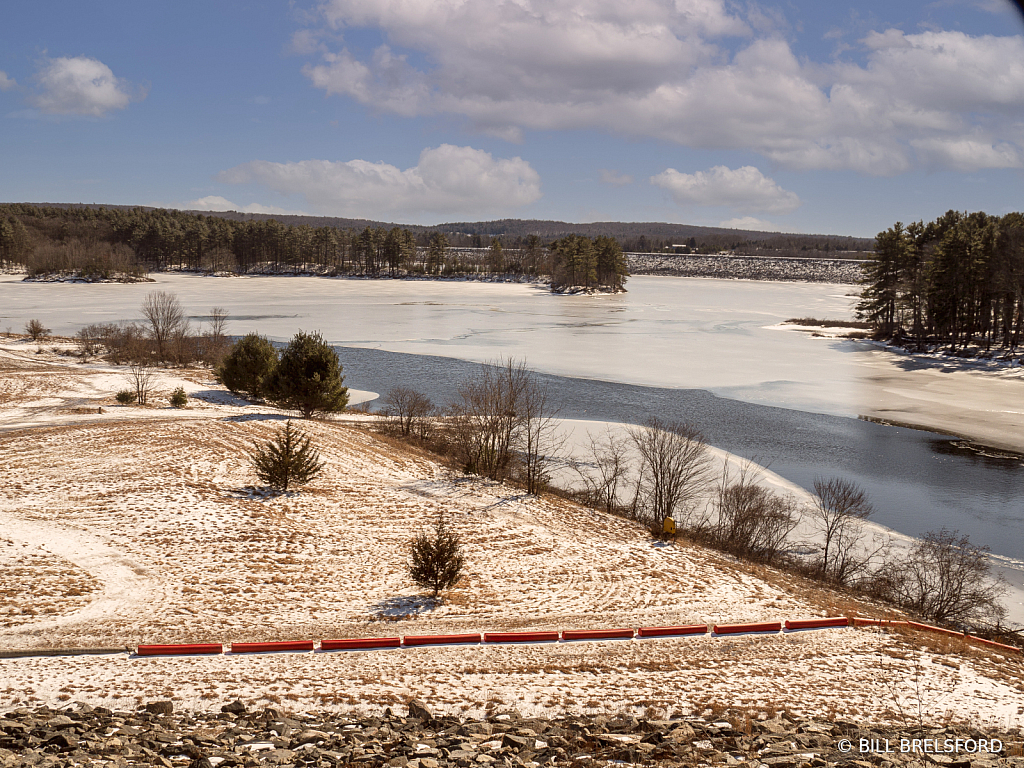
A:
(796, 116)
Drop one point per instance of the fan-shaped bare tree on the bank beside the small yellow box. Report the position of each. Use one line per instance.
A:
(674, 474)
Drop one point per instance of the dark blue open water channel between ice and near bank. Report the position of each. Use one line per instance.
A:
(919, 482)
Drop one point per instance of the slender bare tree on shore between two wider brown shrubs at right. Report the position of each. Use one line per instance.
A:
(840, 508)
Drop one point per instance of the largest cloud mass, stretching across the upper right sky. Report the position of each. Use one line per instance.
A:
(692, 72)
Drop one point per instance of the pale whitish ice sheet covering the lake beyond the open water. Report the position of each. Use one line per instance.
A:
(666, 332)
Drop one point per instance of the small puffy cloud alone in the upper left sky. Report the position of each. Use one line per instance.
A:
(80, 87)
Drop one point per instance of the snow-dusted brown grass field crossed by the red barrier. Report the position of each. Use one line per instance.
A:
(138, 526)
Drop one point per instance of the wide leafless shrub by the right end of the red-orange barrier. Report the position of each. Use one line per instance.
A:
(947, 580)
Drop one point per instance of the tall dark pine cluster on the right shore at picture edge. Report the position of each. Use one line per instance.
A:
(958, 281)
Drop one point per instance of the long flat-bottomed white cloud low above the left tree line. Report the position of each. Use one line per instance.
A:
(448, 181)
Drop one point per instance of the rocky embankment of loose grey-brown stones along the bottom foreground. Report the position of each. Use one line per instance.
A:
(81, 736)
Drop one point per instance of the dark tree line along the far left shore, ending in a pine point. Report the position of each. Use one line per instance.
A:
(102, 243)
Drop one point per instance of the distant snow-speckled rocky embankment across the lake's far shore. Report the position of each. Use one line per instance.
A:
(747, 268)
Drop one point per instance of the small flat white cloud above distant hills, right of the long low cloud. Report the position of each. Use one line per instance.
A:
(745, 190)
